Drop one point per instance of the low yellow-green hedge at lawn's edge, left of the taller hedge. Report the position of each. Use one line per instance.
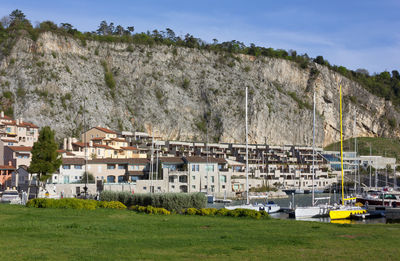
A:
(73, 203)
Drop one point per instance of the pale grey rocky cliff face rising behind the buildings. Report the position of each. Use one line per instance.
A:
(183, 94)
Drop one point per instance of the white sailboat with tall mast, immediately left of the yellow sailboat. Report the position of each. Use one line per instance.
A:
(314, 210)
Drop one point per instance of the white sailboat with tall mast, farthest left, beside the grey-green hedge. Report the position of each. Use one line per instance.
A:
(269, 207)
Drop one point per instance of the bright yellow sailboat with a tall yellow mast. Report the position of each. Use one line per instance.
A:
(344, 211)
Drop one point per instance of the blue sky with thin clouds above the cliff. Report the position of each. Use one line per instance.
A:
(352, 33)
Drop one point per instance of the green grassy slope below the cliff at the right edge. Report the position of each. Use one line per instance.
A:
(379, 146)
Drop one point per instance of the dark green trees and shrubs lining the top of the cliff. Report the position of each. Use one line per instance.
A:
(385, 84)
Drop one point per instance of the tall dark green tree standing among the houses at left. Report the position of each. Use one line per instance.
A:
(45, 159)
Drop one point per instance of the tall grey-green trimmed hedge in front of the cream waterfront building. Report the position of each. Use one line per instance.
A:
(171, 201)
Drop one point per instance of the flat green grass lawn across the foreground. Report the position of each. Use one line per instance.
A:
(106, 234)
